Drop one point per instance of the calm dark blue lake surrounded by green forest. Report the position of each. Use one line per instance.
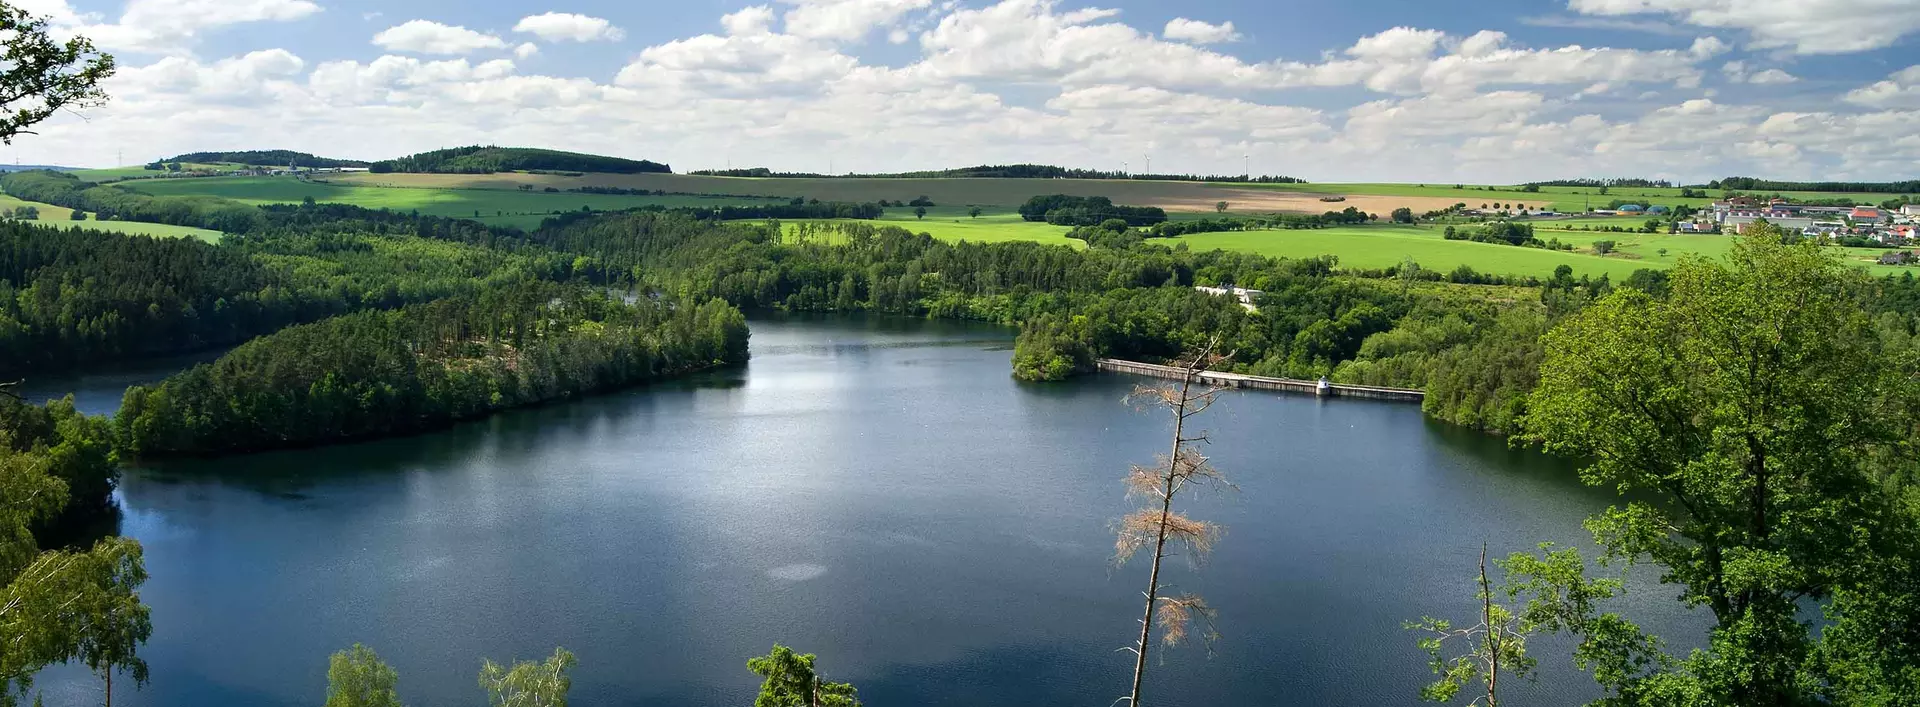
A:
(873, 491)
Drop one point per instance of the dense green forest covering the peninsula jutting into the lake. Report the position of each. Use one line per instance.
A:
(427, 366)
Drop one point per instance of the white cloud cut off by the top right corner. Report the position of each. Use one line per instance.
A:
(1804, 26)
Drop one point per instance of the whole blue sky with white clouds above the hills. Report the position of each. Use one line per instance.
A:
(1341, 91)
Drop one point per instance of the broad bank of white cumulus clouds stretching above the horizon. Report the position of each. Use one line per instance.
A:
(784, 80)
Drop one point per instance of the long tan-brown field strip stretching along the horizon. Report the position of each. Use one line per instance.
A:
(999, 193)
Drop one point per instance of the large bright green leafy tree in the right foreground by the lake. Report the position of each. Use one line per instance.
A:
(1752, 416)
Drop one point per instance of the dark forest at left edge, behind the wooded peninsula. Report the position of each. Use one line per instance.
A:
(72, 299)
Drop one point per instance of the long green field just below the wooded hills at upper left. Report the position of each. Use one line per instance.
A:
(448, 203)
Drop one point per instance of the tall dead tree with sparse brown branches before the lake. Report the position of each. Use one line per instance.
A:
(1157, 525)
